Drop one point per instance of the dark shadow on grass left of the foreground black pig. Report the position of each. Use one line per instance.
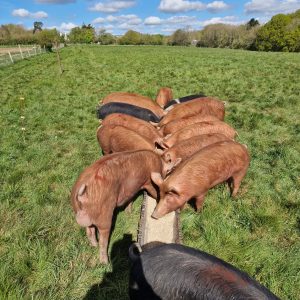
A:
(115, 283)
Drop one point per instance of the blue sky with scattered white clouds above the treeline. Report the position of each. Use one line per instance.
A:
(151, 16)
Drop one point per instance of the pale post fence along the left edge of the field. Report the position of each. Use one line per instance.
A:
(9, 55)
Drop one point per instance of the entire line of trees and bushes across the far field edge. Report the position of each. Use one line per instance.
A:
(281, 33)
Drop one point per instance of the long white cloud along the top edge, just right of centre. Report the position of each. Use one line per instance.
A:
(174, 6)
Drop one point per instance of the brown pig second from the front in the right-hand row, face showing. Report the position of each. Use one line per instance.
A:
(186, 148)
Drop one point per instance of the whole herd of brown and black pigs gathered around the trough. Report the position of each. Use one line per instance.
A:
(176, 150)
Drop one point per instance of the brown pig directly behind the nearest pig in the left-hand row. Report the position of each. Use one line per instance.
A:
(115, 138)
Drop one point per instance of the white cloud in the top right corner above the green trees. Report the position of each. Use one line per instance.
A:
(271, 7)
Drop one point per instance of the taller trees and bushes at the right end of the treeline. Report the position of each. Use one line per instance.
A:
(281, 33)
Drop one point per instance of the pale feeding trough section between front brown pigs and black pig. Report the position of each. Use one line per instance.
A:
(165, 230)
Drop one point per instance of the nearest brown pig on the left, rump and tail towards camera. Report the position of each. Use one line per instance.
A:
(108, 183)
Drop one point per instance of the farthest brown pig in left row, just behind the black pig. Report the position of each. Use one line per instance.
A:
(134, 99)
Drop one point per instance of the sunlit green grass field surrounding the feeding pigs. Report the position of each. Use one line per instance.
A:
(44, 254)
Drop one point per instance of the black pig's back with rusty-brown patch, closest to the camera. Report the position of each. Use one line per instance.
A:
(179, 272)
